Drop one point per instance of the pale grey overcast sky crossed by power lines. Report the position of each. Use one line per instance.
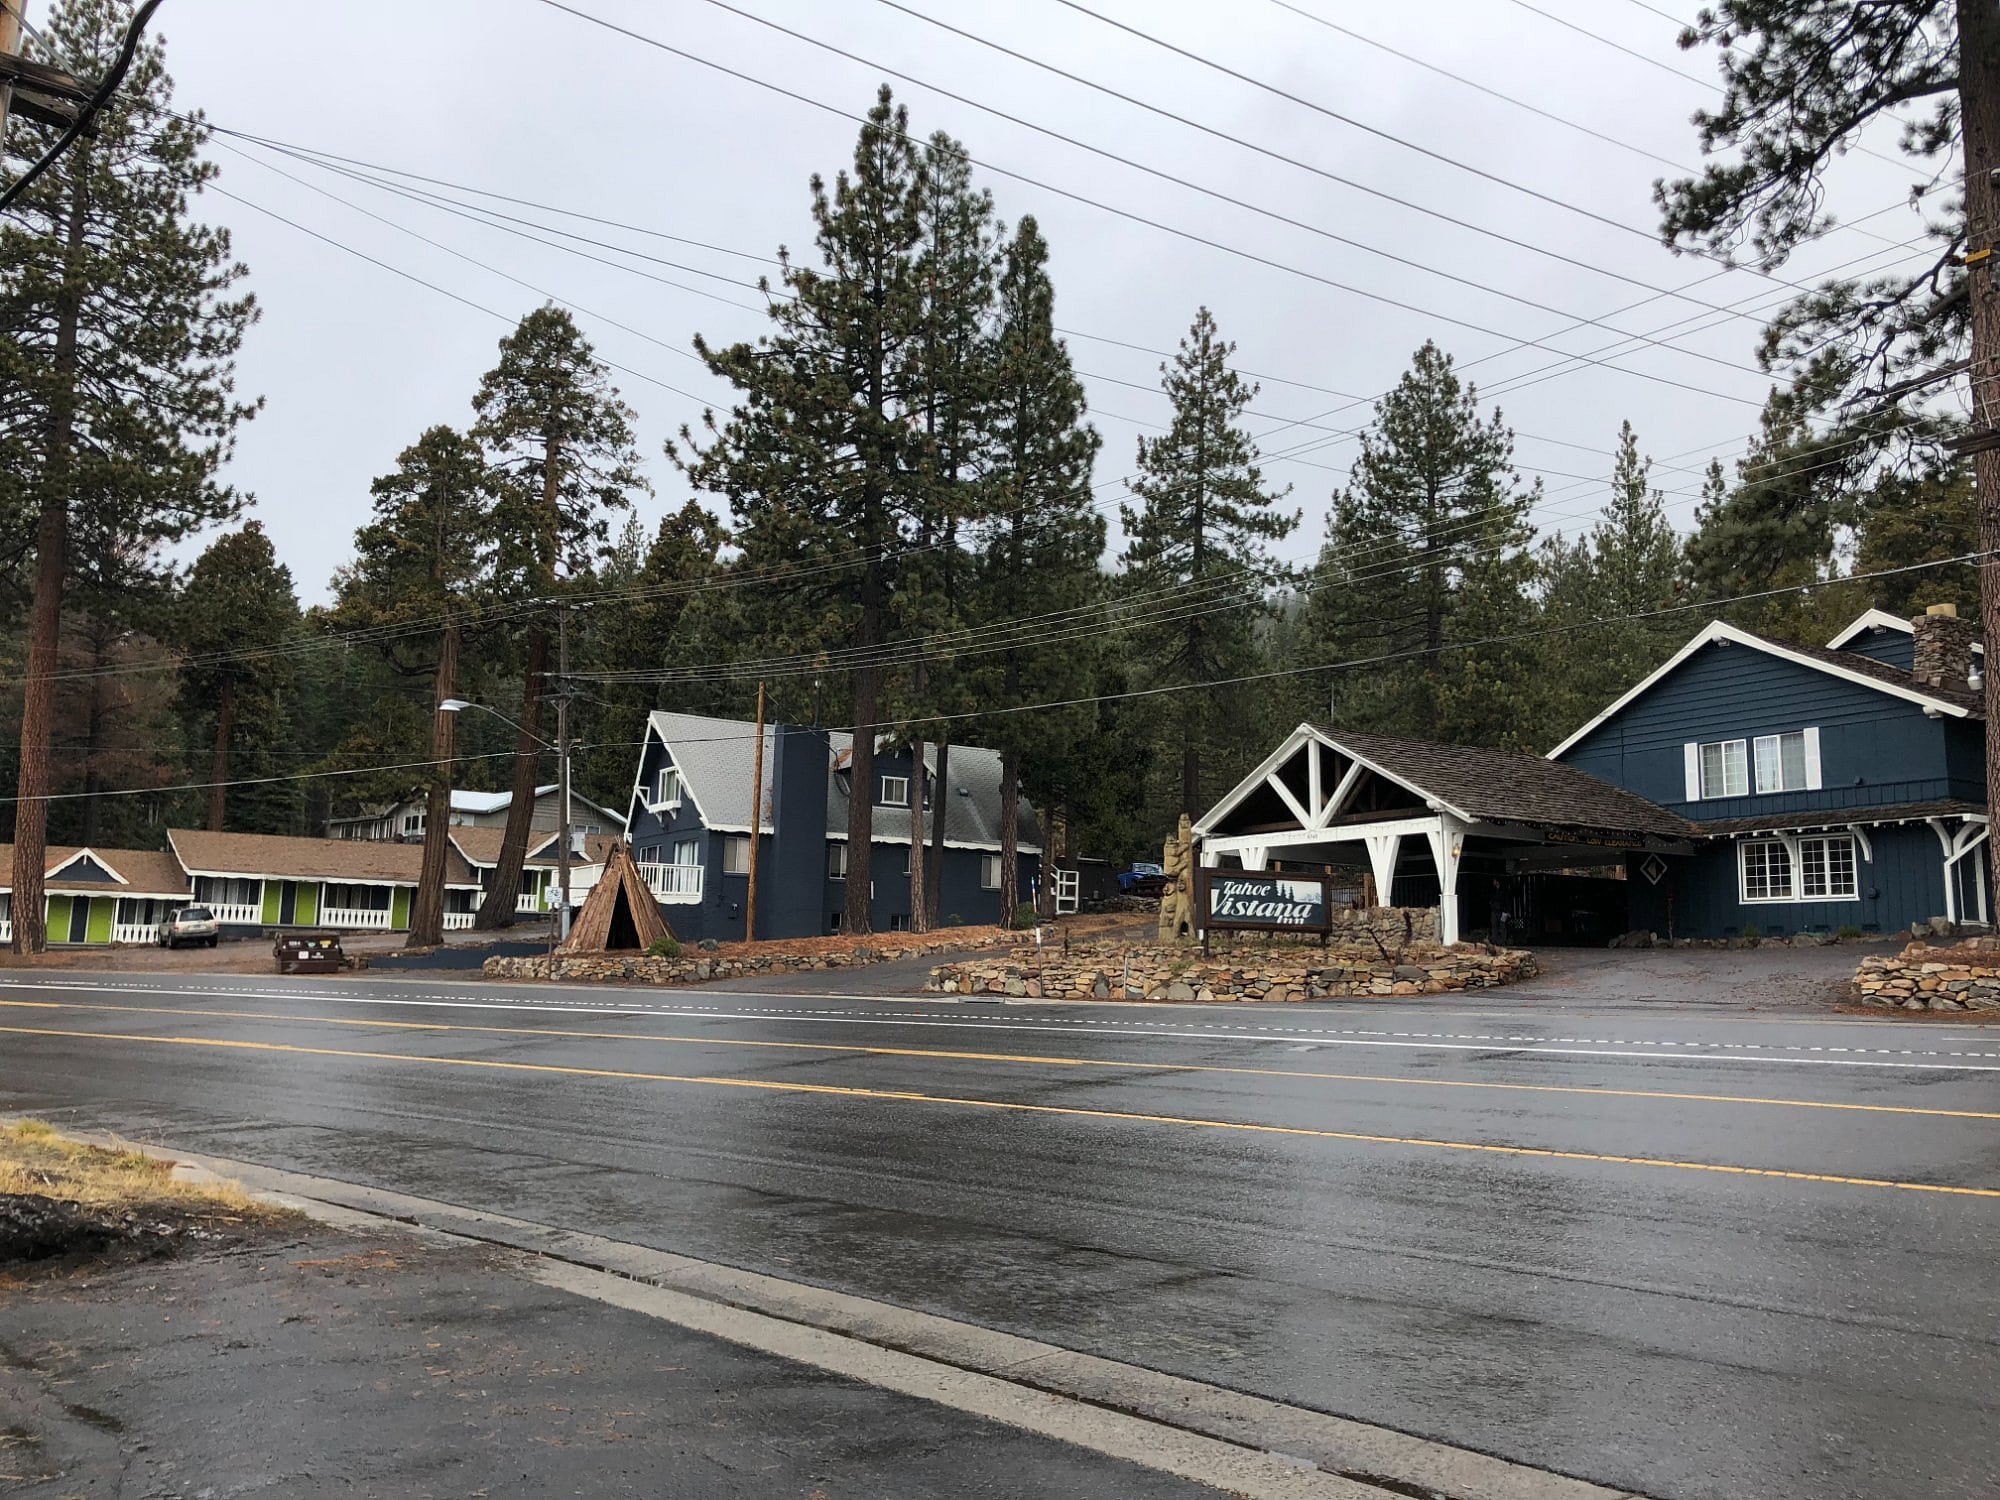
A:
(515, 97)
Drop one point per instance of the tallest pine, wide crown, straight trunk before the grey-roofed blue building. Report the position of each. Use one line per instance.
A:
(825, 457)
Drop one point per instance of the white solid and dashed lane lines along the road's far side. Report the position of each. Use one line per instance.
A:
(1559, 1045)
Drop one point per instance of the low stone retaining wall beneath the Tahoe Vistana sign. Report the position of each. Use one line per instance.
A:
(1267, 973)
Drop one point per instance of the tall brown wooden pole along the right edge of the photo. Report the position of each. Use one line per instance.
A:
(1979, 107)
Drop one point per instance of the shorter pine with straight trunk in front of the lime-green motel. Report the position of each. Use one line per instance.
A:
(425, 567)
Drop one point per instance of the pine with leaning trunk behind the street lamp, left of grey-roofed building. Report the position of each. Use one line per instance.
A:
(557, 429)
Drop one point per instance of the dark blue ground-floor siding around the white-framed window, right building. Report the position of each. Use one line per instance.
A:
(1701, 895)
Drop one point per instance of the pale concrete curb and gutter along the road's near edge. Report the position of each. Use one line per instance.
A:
(983, 1371)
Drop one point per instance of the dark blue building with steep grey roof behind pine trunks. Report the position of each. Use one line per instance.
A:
(691, 827)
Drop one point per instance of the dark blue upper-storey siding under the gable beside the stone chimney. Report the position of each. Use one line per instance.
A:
(1875, 749)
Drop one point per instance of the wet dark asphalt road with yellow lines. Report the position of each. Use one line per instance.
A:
(1673, 1249)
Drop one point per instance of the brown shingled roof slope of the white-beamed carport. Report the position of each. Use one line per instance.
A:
(1511, 787)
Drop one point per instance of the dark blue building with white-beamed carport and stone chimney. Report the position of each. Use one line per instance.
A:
(1745, 787)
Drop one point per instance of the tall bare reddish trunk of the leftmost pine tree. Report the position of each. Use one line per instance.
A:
(45, 617)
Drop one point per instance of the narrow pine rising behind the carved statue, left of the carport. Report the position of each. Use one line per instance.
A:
(1197, 547)
